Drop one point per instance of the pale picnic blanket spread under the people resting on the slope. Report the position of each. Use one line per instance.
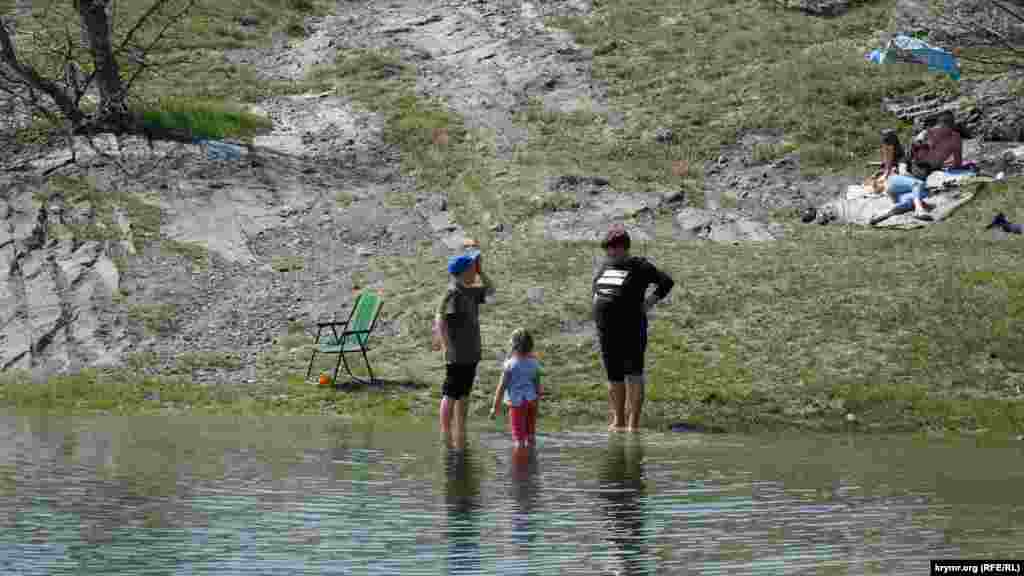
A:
(946, 192)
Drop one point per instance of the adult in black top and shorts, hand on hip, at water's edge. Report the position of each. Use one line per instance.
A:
(621, 305)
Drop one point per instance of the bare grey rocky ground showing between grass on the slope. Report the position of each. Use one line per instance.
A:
(221, 256)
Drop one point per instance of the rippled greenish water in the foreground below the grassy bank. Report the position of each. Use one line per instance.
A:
(184, 497)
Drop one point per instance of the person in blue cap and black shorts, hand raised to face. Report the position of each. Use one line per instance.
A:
(458, 322)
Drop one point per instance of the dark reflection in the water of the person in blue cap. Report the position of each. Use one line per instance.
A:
(462, 491)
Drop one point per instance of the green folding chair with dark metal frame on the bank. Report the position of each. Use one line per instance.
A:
(353, 339)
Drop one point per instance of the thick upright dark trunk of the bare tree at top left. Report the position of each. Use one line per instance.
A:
(97, 21)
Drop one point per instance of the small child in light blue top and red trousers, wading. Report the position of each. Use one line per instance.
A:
(521, 387)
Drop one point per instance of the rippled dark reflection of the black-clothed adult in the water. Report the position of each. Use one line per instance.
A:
(622, 477)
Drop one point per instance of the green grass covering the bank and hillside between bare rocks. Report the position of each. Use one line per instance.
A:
(904, 332)
